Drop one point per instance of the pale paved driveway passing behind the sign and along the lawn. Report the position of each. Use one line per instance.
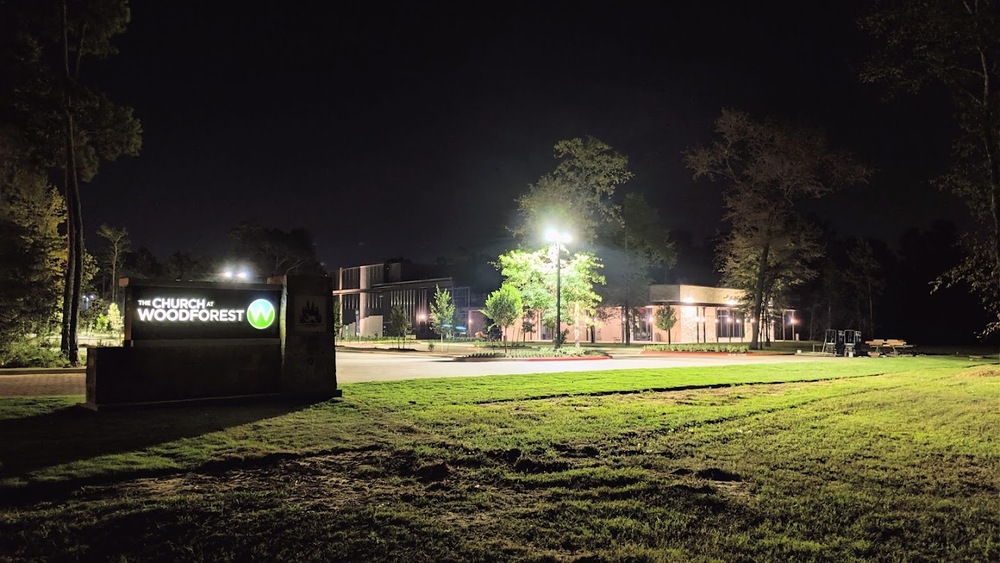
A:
(357, 367)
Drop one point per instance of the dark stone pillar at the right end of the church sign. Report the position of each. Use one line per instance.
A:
(308, 357)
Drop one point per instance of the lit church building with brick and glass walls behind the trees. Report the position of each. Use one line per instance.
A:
(367, 294)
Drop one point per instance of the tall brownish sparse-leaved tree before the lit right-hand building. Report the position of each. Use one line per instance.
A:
(768, 169)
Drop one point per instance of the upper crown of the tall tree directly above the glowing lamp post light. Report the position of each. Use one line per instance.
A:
(578, 192)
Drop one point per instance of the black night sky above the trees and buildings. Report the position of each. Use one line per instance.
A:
(408, 128)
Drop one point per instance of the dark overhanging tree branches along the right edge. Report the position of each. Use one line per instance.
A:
(955, 45)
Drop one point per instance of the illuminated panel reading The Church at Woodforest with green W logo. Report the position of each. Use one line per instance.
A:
(198, 311)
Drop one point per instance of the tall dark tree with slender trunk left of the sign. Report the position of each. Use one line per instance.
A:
(60, 122)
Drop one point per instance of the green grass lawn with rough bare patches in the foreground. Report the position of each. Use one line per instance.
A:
(868, 459)
